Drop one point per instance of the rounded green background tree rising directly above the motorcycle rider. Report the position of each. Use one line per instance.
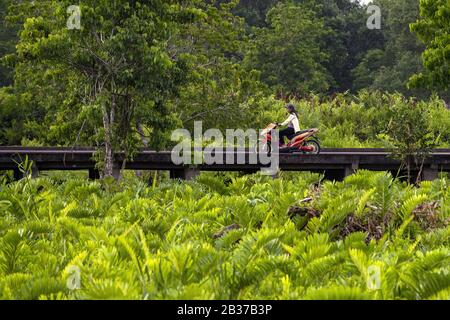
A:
(290, 53)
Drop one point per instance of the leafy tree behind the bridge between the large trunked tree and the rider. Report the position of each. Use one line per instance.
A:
(219, 86)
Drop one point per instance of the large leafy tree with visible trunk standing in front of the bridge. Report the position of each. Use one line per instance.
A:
(118, 64)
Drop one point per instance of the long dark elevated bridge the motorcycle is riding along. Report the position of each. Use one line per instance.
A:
(333, 163)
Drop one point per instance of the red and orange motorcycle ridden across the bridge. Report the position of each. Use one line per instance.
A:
(303, 141)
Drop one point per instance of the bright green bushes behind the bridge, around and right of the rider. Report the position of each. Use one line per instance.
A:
(368, 120)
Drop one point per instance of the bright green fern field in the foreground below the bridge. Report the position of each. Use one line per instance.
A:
(370, 237)
